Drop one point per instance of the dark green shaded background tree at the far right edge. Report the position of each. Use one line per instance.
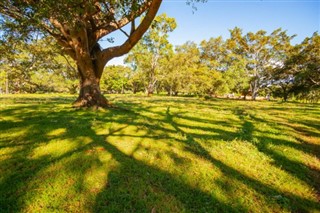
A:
(302, 68)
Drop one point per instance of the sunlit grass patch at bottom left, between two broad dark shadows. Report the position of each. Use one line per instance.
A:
(70, 184)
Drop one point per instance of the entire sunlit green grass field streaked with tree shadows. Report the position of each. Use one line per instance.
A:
(162, 154)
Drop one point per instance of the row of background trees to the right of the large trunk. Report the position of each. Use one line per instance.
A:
(250, 64)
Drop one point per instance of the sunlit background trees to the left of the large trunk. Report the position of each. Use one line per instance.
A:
(38, 66)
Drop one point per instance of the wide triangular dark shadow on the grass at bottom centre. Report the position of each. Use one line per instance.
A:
(150, 188)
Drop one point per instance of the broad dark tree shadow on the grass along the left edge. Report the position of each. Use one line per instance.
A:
(18, 168)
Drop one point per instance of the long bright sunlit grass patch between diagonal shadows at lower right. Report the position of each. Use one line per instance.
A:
(254, 164)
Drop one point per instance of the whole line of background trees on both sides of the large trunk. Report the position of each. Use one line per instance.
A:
(246, 64)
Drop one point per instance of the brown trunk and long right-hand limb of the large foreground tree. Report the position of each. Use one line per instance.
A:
(91, 64)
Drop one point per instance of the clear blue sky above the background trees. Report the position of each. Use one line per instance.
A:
(215, 17)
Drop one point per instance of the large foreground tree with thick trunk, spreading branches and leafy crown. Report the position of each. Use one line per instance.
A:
(78, 26)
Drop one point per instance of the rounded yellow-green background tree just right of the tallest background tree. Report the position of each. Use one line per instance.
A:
(187, 73)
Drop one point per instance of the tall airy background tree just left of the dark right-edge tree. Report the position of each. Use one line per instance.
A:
(263, 53)
